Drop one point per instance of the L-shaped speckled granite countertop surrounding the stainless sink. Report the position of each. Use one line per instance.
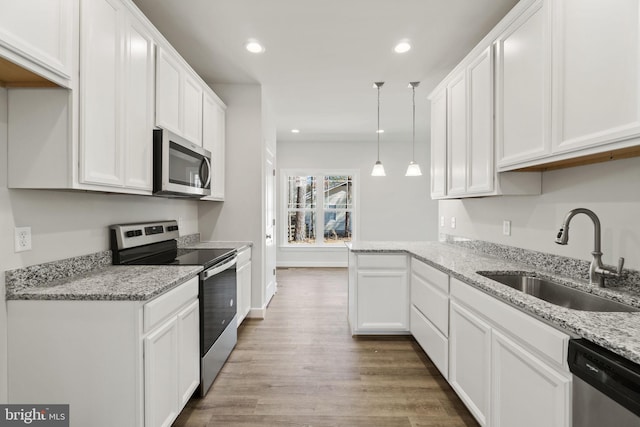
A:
(618, 332)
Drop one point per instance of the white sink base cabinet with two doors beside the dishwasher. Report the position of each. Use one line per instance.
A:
(507, 367)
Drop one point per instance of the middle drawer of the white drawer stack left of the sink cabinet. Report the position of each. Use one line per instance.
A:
(431, 301)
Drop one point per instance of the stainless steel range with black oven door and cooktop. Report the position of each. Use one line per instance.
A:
(154, 243)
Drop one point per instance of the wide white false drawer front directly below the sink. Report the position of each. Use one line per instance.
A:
(527, 330)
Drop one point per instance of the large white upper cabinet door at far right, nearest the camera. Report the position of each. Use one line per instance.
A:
(596, 72)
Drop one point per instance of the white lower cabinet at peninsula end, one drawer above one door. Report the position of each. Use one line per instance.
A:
(379, 294)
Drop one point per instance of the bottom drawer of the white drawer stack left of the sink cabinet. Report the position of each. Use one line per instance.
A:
(431, 340)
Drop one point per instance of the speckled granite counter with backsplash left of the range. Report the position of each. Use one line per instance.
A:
(92, 277)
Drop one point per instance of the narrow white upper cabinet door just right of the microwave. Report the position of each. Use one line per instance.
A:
(214, 139)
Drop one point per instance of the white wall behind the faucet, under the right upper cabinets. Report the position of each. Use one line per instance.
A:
(609, 189)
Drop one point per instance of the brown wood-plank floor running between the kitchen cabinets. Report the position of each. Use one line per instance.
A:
(301, 367)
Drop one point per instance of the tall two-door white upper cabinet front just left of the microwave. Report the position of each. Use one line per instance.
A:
(116, 69)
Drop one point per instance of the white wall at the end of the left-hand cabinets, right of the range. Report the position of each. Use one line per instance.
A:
(239, 217)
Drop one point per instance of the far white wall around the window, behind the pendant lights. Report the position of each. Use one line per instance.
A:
(394, 207)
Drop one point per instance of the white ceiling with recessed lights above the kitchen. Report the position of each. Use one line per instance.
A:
(322, 56)
